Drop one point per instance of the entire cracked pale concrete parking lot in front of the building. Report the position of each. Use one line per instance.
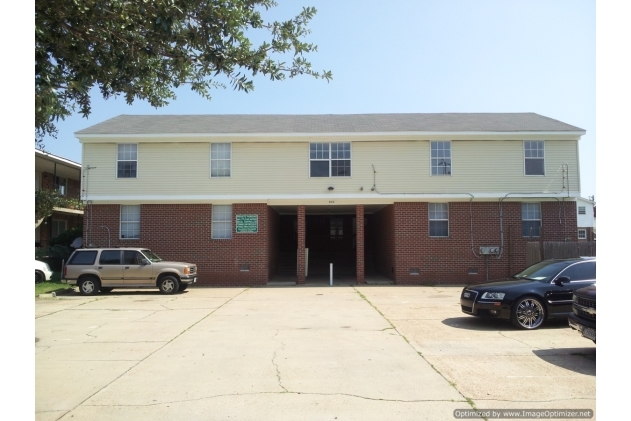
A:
(309, 353)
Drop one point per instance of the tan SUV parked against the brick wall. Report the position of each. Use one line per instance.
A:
(103, 269)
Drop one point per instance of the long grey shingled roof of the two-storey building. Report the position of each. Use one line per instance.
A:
(327, 123)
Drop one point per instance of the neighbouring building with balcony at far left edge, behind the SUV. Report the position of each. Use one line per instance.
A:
(57, 173)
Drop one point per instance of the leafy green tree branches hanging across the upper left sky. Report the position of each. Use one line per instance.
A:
(144, 49)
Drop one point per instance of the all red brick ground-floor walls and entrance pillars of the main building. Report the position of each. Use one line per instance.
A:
(401, 246)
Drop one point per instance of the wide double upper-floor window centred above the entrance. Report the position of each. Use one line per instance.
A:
(330, 159)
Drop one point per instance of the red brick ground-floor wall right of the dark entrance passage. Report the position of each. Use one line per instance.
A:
(407, 254)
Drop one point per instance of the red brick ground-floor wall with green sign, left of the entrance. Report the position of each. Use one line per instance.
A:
(183, 233)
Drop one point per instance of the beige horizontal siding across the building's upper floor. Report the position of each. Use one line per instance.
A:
(283, 168)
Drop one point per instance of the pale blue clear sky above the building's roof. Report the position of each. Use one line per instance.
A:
(417, 56)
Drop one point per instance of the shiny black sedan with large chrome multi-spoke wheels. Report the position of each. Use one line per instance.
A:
(540, 292)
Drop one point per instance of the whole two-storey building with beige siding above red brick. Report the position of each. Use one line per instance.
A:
(418, 198)
